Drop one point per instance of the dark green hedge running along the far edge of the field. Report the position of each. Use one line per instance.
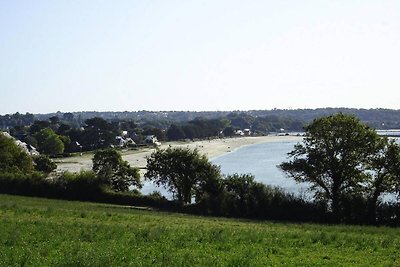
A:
(256, 201)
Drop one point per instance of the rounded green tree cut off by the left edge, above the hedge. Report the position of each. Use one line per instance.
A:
(12, 158)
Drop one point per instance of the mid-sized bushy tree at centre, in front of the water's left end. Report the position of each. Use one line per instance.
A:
(180, 171)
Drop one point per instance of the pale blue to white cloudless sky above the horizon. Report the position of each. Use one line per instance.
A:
(129, 55)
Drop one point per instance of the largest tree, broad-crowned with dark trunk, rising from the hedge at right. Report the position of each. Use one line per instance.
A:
(333, 158)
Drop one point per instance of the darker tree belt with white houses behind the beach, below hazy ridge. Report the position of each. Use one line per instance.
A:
(66, 134)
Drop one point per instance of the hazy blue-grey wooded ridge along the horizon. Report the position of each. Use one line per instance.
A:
(376, 118)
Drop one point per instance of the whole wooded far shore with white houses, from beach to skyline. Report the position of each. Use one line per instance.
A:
(63, 133)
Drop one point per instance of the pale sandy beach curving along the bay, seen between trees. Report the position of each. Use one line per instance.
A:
(211, 148)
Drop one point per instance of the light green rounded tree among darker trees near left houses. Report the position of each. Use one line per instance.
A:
(49, 142)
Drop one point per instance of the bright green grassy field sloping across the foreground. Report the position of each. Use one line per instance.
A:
(42, 232)
